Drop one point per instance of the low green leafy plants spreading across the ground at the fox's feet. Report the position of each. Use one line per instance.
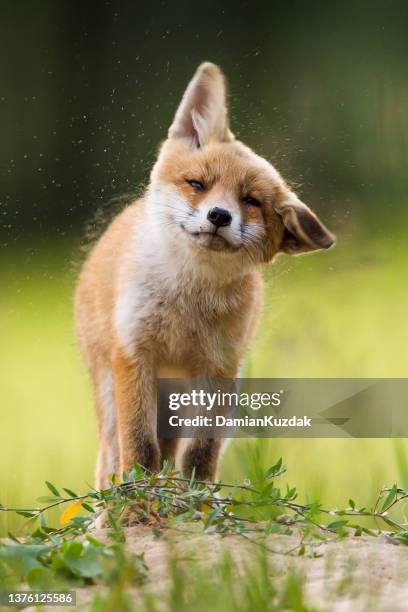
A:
(70, 553)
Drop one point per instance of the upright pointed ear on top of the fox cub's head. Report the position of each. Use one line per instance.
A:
(202, 115)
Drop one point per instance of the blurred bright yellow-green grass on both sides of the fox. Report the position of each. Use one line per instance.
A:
(335, 314)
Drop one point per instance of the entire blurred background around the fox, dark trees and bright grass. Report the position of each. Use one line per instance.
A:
(88, 91)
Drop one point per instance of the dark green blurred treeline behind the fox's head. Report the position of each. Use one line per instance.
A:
(88, 90)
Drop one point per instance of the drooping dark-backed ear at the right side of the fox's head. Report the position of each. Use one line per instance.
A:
(303, 232)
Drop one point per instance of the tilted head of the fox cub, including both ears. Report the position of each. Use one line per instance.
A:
(215, 196)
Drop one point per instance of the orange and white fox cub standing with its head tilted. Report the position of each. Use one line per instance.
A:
(174, 285)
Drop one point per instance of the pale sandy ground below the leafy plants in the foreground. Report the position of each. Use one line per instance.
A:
(355, 574)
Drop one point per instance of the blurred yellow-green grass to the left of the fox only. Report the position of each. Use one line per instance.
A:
(48, 430)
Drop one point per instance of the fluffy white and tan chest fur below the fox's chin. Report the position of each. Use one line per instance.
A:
(166, 294)
